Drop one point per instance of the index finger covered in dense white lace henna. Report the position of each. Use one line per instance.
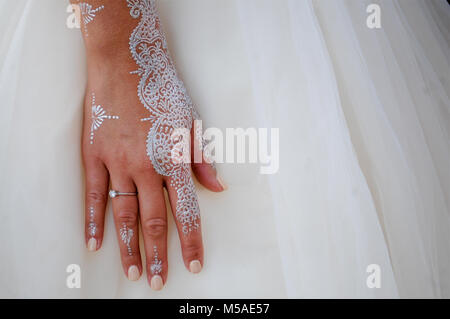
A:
(184, 204)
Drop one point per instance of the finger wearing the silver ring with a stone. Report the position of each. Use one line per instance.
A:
(125, 210)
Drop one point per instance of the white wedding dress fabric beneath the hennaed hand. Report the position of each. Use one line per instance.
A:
(364, 177)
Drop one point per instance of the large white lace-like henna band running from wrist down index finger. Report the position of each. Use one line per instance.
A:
(163, 94)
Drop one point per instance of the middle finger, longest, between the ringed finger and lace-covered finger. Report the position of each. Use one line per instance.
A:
(153, 217)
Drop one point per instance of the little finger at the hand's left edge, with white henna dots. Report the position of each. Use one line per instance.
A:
(97, 181)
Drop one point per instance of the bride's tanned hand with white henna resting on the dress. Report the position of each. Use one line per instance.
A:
(135, 104)
